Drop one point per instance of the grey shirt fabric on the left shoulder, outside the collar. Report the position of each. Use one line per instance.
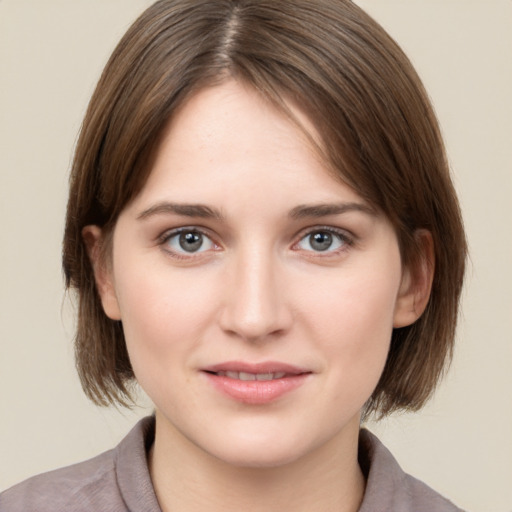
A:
(84, 486)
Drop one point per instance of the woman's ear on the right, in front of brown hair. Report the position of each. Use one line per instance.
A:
(416, 284)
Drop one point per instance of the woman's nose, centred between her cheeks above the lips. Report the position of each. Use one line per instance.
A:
(255, 306)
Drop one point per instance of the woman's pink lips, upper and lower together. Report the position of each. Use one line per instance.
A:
(256, 392)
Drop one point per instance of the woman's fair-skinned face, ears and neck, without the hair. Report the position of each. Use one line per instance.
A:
(243, 254)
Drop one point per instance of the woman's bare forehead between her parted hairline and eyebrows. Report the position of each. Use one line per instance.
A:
(227, 138)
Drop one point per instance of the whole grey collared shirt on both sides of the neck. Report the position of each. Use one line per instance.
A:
(119, 481)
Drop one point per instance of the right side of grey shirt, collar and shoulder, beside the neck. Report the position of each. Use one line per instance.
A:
(390, 488)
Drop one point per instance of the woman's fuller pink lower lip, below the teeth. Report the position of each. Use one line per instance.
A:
(256, 392)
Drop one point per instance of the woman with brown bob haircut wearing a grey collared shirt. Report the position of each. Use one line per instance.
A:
(262, 232)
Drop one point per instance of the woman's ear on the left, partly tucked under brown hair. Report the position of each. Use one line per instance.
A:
(94, 239)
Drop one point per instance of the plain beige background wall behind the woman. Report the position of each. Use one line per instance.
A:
(51, 53)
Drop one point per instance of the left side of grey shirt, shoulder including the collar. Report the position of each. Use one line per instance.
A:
(117, 480)
